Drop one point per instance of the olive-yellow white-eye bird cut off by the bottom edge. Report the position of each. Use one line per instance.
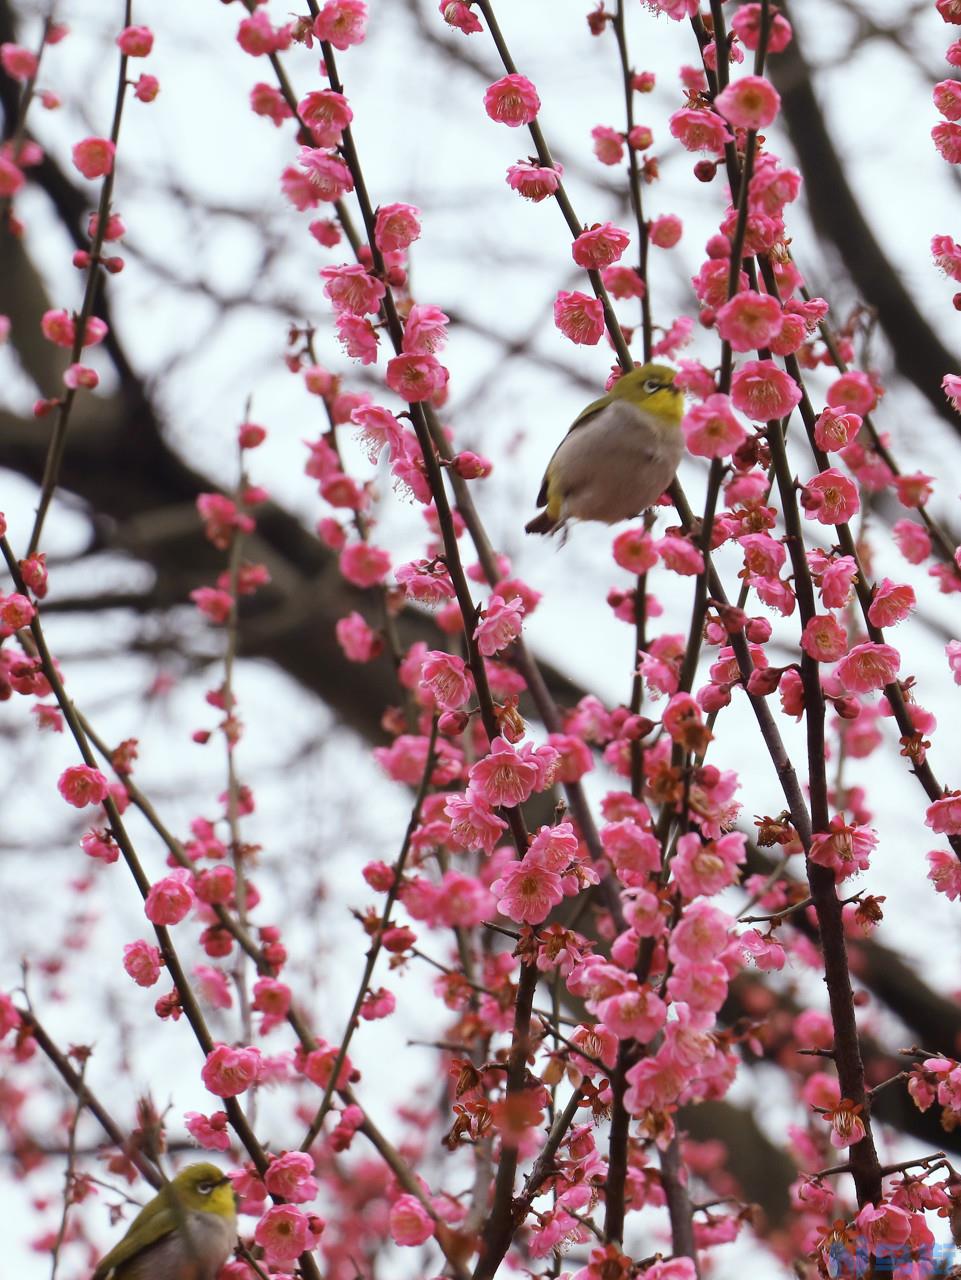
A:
(186, 1233)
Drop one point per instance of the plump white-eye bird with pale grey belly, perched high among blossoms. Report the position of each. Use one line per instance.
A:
(620, 455)
